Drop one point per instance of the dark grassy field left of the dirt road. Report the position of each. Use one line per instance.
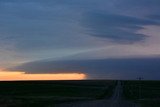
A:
(44, 93)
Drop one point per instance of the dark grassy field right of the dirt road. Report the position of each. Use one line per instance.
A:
(147, 93)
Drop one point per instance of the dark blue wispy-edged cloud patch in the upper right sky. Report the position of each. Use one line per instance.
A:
(118, 28)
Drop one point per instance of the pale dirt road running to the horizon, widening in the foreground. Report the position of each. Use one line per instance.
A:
(115, 101)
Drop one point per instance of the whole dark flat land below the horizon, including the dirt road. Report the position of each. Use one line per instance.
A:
(80, 93)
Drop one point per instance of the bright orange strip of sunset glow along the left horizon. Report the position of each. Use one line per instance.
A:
(11, 76)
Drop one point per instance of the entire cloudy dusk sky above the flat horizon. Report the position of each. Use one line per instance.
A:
(79, 39)
